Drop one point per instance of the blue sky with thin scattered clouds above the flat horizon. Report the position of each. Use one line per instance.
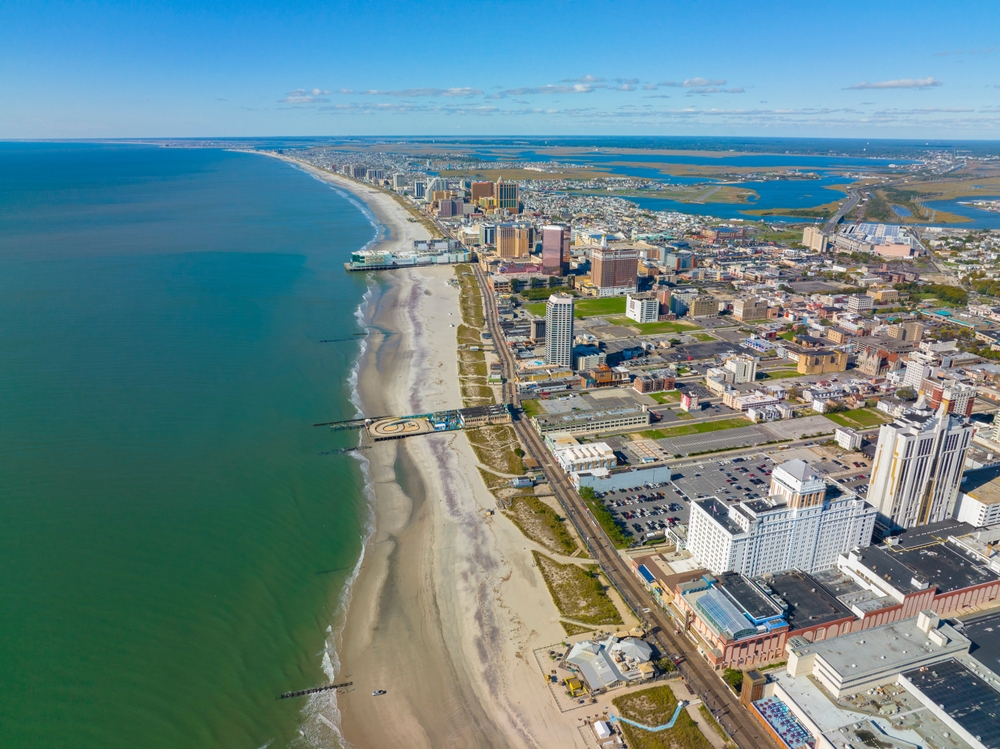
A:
(160, 69)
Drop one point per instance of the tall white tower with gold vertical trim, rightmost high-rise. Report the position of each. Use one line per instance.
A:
(918, 468)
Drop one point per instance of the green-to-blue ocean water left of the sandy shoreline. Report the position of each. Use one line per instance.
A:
(173, 543)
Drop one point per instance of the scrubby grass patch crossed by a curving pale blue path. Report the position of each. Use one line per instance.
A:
(655, 707)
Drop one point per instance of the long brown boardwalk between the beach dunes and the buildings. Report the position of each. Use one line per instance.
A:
(700, 677)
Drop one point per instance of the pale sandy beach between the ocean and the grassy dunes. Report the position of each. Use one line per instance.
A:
(448, 606)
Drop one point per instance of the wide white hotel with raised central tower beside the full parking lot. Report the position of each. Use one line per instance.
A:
(796, 527)
